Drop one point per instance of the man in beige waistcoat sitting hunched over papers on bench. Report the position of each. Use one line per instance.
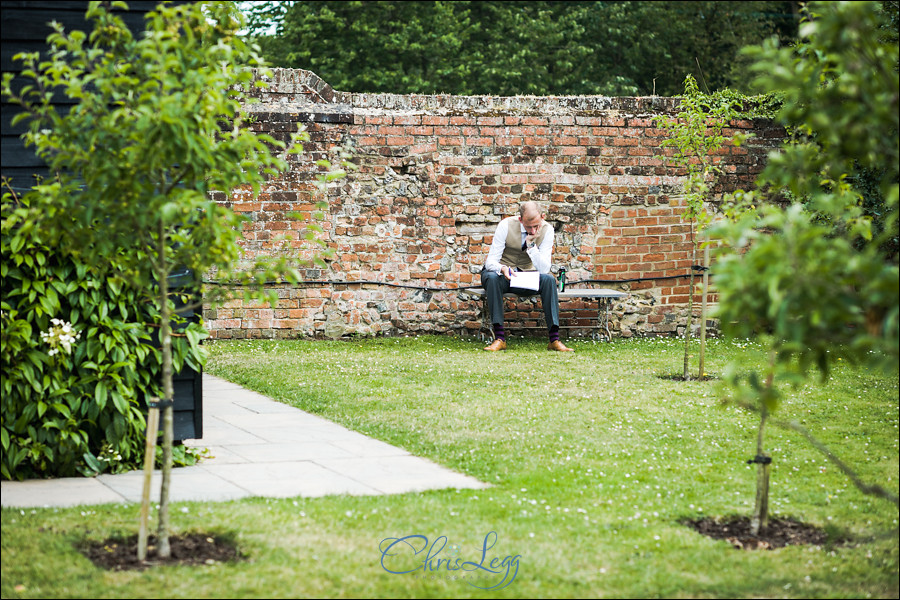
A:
(523, 243)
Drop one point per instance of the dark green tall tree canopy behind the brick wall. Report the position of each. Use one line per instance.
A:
(516, 47)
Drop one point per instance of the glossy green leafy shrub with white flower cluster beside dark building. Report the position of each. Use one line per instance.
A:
(77, 412)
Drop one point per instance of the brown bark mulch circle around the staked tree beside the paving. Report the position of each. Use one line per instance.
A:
(116, 554)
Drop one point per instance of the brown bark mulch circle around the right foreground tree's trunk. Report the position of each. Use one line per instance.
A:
(780, 533)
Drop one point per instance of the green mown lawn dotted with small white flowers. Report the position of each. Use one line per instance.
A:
(595, 458)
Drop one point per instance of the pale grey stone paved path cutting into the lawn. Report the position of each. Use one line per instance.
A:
(259, 448)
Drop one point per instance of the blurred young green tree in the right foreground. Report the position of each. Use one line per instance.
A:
(811, 274)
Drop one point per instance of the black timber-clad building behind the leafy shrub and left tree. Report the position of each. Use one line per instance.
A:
(25, 27)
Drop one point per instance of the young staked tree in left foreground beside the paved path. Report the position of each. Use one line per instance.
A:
(156, 126)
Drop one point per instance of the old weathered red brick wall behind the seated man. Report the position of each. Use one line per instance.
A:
(432, 177)
